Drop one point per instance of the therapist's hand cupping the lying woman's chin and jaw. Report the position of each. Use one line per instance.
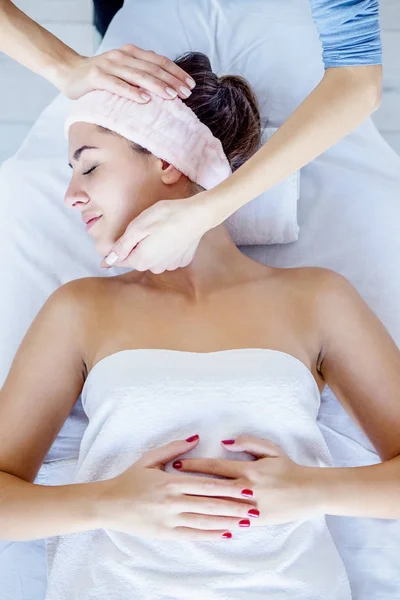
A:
(164, 237)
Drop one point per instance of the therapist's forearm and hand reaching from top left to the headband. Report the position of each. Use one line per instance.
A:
(126, 71)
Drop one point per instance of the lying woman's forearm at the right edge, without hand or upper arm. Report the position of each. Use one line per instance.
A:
(372, 491)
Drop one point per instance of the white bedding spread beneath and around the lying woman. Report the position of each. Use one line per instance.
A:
(348, 212)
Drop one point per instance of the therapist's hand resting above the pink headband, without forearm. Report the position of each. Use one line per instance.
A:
(126, 71)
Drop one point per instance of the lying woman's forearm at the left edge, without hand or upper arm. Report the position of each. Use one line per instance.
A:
(30, 512)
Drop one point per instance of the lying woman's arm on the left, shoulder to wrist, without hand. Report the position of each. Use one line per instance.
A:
(44, 383)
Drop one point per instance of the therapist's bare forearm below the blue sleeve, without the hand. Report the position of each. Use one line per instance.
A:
(343, 99)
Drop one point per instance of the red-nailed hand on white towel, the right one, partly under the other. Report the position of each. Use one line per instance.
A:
(283, 490)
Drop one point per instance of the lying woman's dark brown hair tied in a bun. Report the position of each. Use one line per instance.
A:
(227, 105)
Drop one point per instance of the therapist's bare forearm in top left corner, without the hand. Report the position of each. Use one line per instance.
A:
(33, 46)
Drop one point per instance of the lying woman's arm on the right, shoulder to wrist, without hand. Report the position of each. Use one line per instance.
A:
(361, 364)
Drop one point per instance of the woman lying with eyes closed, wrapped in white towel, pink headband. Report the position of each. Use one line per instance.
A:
(202, 472)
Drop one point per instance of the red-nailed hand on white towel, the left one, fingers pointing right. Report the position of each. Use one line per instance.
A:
(146, 501)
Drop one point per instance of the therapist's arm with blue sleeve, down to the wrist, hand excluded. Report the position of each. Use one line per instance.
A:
(347, 94)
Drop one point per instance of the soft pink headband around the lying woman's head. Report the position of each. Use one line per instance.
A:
(167, 128)
